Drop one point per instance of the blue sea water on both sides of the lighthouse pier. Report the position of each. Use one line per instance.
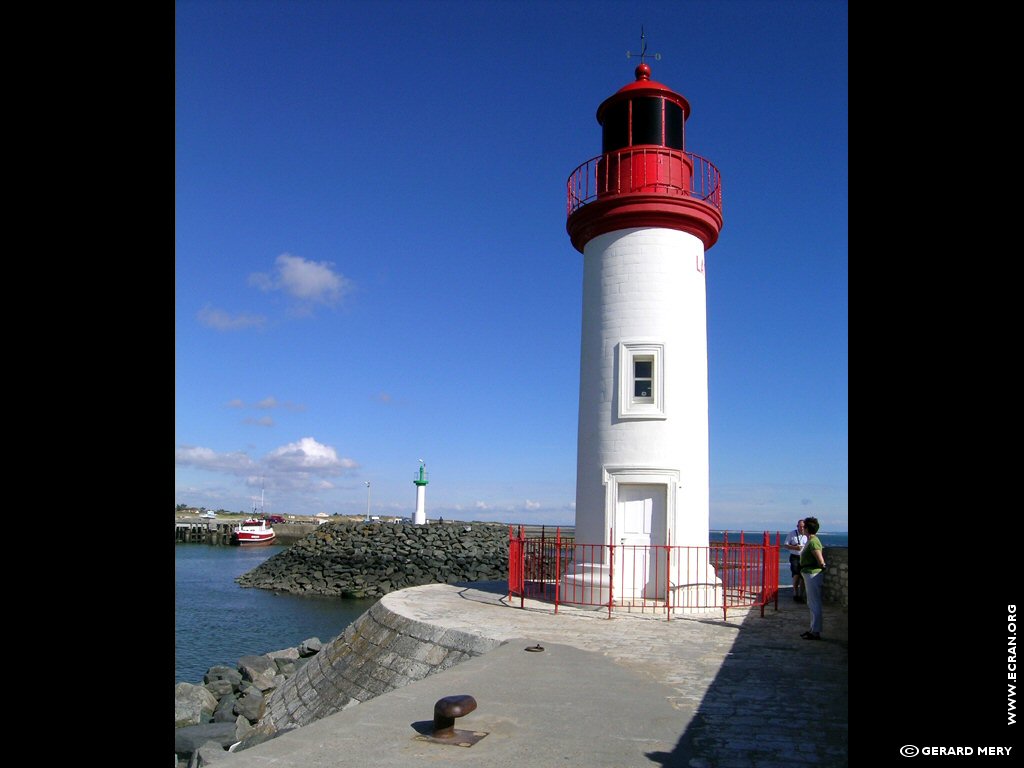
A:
(217, 622)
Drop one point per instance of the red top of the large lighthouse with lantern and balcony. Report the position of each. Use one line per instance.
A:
(645, 177)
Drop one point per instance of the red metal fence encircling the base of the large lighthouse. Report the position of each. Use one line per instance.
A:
(674, 579)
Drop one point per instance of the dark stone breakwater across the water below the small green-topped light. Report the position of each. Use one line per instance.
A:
(369, 561)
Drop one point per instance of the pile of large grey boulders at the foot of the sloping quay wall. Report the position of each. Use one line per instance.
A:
(211, 716)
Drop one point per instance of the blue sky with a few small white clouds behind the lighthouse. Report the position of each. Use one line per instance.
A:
(372, 266)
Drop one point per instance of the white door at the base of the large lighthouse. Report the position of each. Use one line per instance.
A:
(642, 521)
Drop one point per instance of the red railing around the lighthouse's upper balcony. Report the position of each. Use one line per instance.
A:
(649, 169)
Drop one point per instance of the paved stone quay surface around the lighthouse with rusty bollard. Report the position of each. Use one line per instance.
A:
(633, 691)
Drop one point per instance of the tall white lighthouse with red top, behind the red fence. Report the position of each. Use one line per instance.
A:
(644, 214)
